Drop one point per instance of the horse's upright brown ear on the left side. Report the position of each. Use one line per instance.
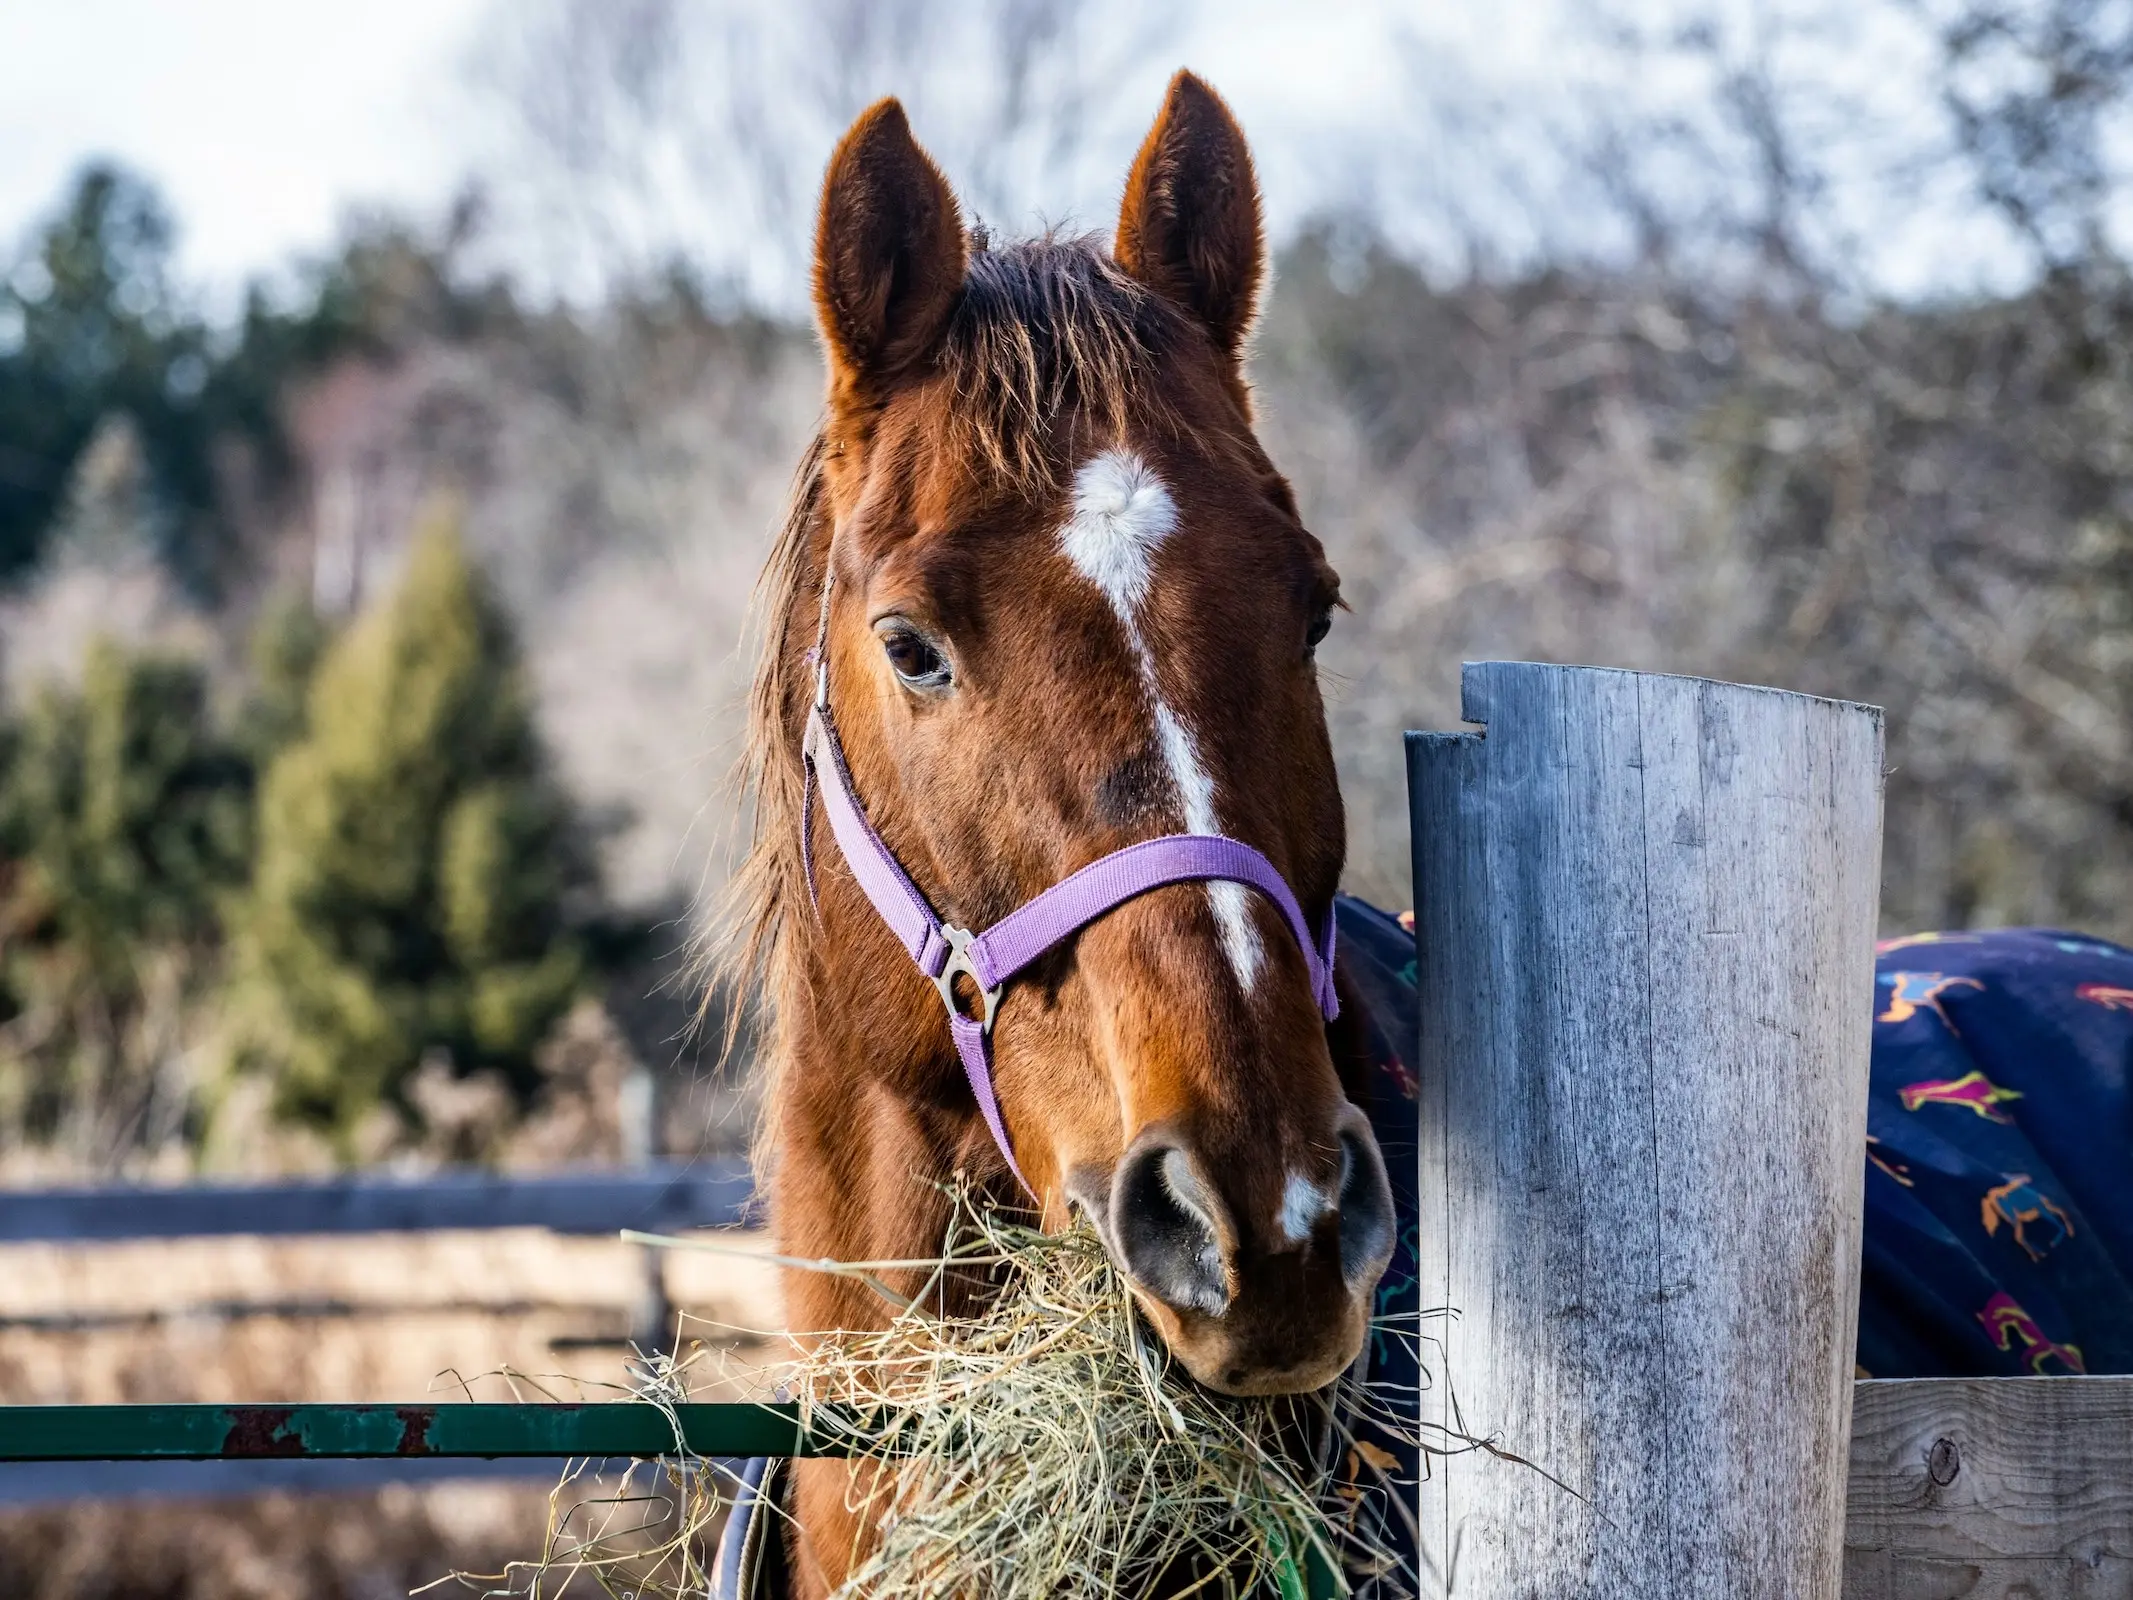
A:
(888, 253)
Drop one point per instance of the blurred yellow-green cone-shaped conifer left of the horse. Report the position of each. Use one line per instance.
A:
(419, 874)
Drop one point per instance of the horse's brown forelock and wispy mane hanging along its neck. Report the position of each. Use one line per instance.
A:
(1051, 342)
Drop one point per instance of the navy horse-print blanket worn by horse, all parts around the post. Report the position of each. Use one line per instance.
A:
(2000, 1183)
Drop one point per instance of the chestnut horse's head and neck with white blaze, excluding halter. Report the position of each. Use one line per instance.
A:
(1072, 609)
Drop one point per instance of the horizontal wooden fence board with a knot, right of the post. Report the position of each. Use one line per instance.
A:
(1991, 1490)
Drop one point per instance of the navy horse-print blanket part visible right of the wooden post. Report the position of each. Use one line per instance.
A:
(2000, 1162)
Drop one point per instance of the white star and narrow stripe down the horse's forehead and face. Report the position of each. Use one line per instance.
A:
(1121, 519)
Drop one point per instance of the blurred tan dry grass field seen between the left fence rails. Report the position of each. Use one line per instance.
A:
(387, 1317)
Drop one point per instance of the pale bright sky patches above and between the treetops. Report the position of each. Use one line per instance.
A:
(266, 123)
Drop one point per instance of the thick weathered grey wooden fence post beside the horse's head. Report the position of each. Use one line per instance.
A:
(1646, 916)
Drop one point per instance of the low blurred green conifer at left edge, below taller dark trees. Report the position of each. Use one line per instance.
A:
(125, 822)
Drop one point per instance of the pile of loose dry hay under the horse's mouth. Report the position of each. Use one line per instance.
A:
(1046, 1447)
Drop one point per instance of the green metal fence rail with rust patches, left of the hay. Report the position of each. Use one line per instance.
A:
(372, 1433)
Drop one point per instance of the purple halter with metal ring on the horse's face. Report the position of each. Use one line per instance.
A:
(993, 957)
